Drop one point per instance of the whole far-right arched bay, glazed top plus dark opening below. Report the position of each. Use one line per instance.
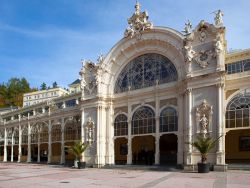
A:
(237, 141)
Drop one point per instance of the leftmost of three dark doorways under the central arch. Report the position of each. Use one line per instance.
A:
(121, 150)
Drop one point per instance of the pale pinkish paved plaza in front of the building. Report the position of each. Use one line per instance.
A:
(38, 175)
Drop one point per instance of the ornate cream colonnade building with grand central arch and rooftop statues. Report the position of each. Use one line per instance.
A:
(155, 90)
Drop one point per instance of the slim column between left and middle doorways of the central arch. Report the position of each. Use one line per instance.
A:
(129, 155)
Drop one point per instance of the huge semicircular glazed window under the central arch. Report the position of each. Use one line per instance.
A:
(145, 71)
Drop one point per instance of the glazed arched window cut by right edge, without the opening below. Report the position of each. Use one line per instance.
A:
(238, 110)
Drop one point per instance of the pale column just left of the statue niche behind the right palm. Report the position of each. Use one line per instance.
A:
(189, 125)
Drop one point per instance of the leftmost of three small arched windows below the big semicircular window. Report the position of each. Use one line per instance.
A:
(121, 125)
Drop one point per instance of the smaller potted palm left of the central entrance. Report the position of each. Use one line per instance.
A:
(77, 150)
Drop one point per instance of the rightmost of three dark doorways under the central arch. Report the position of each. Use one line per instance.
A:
(168, 149)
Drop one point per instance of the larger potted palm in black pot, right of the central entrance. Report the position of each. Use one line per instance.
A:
(204, 145)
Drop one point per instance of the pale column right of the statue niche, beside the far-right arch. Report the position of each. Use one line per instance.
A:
(220, 154)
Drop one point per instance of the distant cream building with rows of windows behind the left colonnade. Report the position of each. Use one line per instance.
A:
(42, 96)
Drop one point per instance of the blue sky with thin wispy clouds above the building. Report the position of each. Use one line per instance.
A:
(45, 40)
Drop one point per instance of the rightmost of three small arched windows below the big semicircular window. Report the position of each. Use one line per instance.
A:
(168, 120)
